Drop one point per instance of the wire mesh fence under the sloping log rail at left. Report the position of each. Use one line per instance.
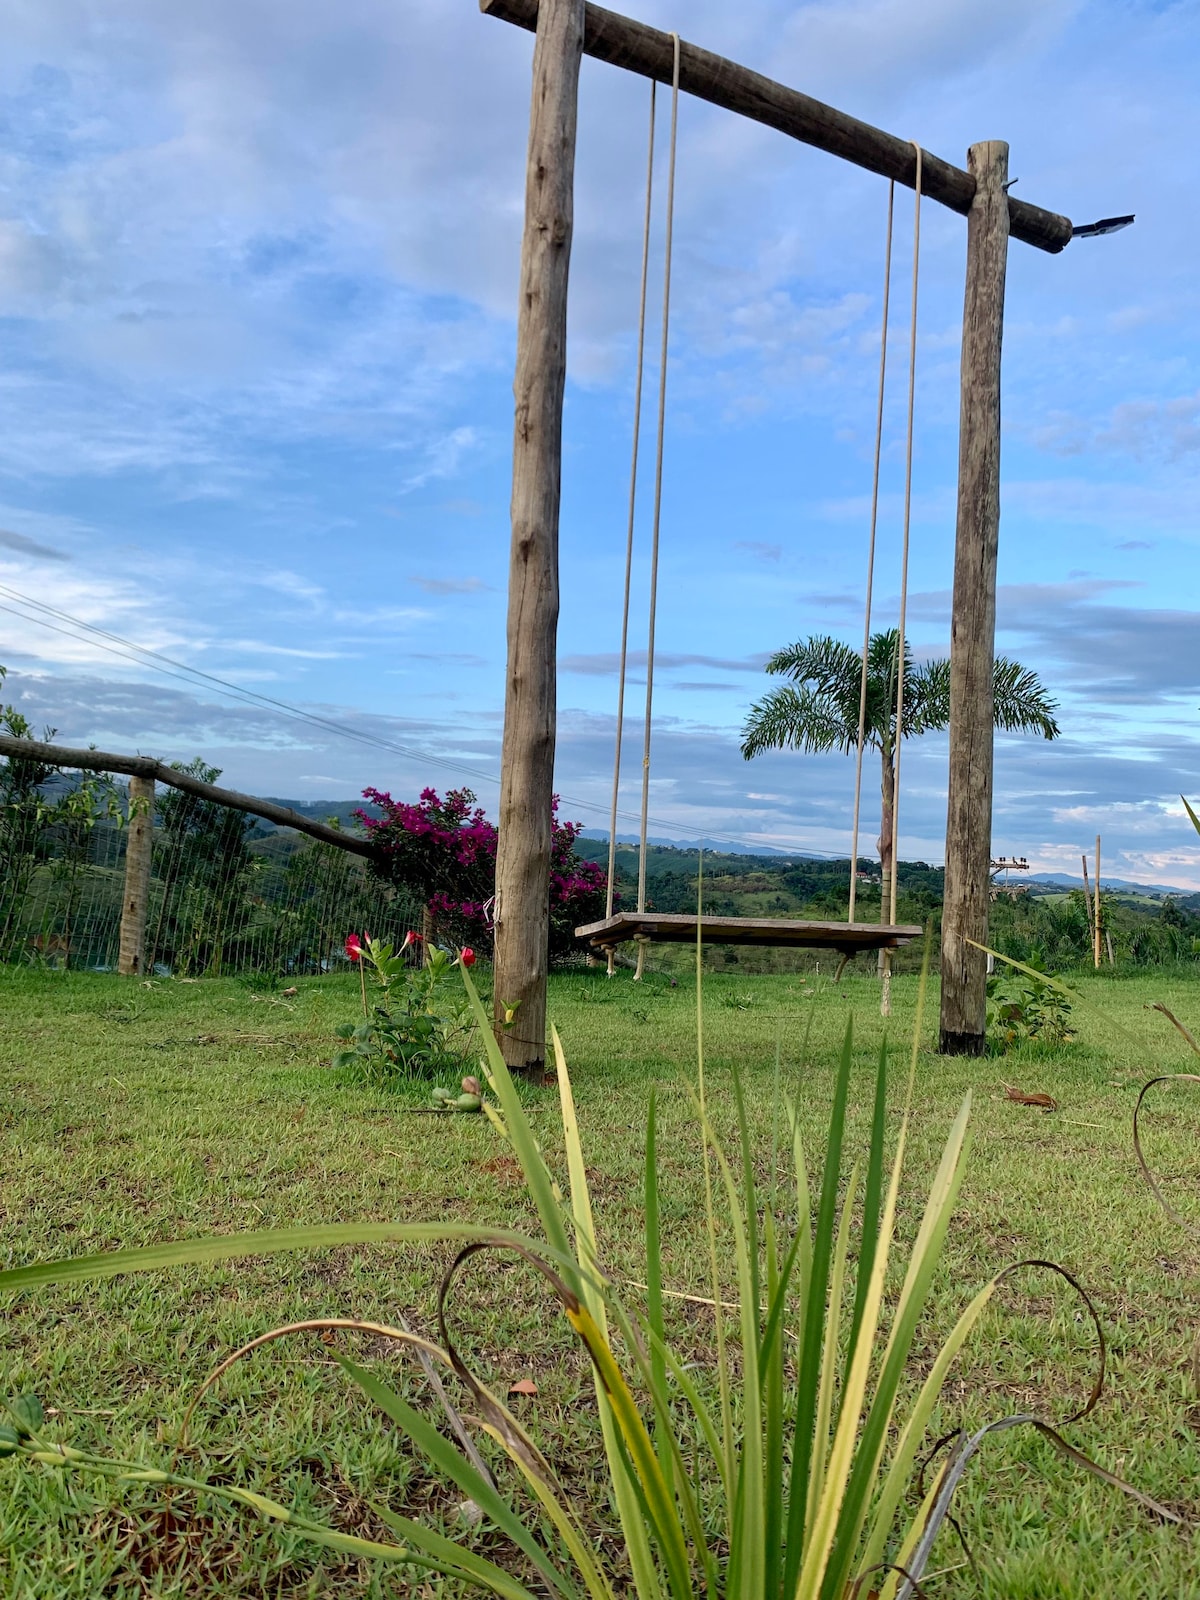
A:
(226, 897)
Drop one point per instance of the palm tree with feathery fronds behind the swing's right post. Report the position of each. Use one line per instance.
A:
(818, 711)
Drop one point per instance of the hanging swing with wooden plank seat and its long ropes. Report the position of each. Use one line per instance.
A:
(849, 938)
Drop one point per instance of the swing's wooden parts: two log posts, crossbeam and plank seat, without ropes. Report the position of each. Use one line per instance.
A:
(566, 31)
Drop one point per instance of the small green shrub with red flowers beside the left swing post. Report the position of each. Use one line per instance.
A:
(420, 1020)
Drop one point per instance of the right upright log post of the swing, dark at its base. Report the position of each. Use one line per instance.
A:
(969, 822)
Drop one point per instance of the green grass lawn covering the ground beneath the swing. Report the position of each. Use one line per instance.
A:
(135, 1113)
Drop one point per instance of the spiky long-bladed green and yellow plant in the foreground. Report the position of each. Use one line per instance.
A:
(785, 1482)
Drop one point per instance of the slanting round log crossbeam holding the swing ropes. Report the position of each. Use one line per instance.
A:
(649, 52)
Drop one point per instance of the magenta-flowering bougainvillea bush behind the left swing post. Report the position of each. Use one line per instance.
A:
(446, 854)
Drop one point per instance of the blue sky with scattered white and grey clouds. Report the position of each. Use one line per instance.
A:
(258, 279)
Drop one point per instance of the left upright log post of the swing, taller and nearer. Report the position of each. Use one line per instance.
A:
(527, 772)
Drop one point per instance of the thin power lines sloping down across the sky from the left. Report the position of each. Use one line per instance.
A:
(142, 655)
